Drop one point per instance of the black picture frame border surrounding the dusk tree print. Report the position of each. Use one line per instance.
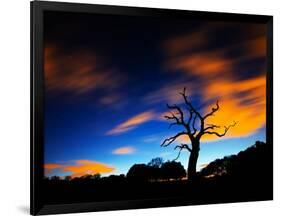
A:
(37, 96)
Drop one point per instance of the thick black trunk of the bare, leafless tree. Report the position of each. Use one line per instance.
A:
(191, 170)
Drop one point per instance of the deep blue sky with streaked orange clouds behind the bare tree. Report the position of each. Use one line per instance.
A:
(108, 80)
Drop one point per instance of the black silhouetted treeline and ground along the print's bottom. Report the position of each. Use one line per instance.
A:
(247, 176)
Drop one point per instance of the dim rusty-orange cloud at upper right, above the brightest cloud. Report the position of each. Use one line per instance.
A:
(188, 52)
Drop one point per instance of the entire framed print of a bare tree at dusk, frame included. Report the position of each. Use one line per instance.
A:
(139, 107)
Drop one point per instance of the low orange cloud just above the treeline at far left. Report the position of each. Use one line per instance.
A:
(81, 167)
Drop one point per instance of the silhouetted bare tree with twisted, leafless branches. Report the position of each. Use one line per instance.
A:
(194, 127)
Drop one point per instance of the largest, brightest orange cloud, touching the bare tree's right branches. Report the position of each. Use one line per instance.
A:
(244, 102)
